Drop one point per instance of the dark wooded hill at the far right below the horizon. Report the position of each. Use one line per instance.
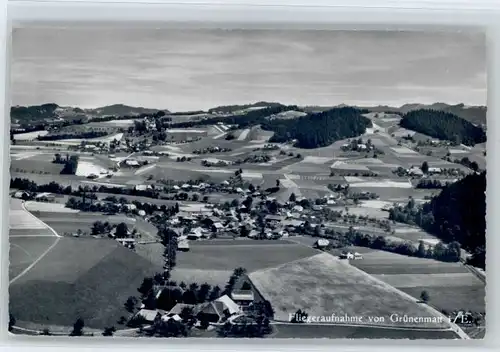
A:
(443, 125)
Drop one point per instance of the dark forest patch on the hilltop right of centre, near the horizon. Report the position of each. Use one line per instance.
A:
(321, 129)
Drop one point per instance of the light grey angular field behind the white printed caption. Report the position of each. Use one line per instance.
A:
(324, 285)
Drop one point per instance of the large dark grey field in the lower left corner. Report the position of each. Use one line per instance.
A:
(79, 278)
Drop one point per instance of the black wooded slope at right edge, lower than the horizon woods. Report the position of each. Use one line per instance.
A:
(456, 214)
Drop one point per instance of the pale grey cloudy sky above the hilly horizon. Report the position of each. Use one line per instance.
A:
(191, 69)
